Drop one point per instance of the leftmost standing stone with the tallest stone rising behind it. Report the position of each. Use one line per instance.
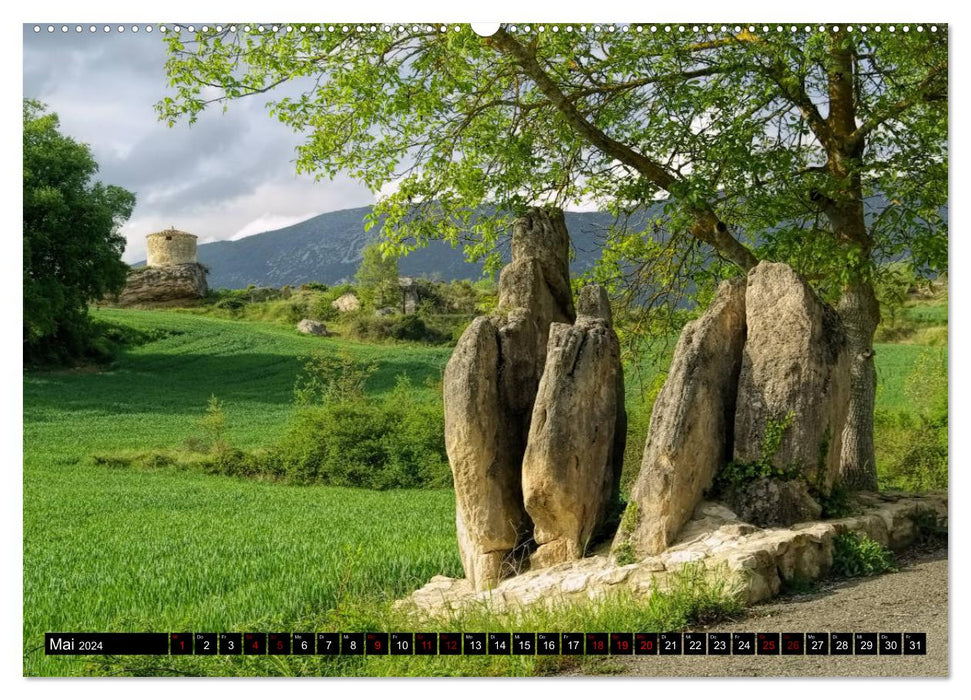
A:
(489, 387)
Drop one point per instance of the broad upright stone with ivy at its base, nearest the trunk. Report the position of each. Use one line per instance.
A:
(795, 363)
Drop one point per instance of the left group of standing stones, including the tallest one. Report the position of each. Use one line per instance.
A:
(534, 413)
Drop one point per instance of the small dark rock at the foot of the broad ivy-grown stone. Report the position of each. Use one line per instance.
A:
(771, 502)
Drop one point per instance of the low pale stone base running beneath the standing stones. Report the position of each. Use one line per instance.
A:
(752, 561)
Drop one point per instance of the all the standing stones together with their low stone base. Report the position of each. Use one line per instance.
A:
(535, 429)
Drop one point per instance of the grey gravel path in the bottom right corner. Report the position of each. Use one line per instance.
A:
(911, 600)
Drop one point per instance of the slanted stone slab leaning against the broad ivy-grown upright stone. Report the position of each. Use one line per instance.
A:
(692, 421)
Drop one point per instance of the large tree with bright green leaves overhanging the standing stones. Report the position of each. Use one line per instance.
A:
(825, 147)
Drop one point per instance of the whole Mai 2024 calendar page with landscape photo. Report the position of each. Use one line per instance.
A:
(437, 348)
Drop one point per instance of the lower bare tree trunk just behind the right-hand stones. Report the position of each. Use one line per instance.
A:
(860, 312)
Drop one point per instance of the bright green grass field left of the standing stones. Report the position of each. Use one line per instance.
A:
(140, 550)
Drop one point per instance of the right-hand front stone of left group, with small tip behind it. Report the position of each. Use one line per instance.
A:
(575, 453)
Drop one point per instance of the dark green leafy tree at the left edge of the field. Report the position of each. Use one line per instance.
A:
(72, 248)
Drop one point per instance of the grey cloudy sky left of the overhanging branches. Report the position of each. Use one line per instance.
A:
(226, 176)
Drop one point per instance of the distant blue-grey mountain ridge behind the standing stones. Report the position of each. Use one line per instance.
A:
(328, 248)
